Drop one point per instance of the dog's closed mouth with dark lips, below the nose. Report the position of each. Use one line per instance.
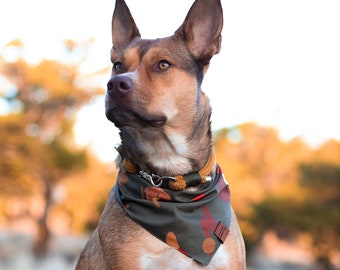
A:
(124, 117)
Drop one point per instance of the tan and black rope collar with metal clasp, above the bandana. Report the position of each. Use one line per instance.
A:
(178, 182)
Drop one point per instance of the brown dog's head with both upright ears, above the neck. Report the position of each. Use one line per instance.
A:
(156, 84)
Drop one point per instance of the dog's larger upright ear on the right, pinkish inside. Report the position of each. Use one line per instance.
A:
(201, 29)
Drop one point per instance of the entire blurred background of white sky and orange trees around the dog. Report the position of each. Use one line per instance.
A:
(274, 90)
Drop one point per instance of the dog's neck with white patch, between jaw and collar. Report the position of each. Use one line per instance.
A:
(174, 149)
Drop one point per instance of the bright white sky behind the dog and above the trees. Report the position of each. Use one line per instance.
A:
(279, 65)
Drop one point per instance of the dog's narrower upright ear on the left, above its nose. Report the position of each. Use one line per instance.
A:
(124, 28)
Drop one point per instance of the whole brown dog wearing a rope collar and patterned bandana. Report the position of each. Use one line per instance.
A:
(170, 207)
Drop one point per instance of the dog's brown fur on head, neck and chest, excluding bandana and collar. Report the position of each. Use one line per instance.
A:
(154, 98)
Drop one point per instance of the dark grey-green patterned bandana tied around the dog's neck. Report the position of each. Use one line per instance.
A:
(193, 222)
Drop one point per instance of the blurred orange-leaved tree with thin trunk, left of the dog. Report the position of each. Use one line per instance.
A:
(36, 142)
